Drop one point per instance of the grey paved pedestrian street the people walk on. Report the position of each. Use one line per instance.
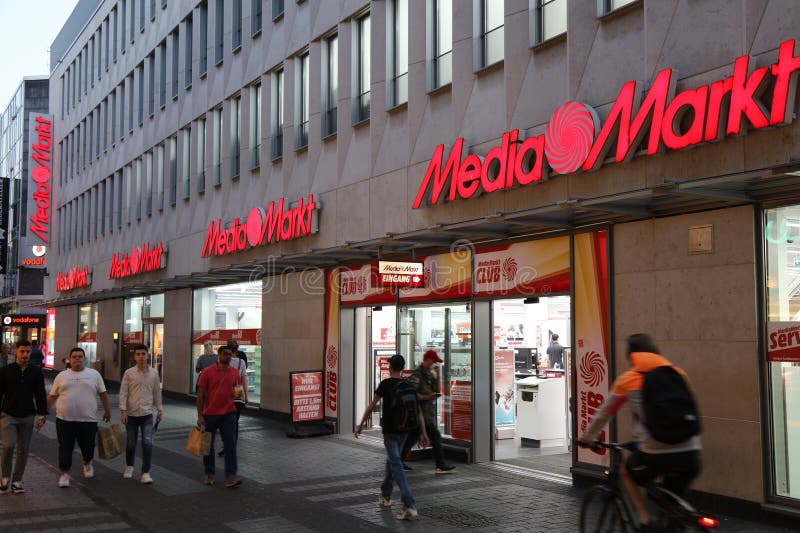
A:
(290, 485)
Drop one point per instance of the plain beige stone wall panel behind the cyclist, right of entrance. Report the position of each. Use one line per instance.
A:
(701, 310)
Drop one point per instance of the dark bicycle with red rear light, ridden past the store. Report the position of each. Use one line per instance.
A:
(606, 507)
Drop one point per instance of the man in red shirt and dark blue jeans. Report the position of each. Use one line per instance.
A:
(217, 388)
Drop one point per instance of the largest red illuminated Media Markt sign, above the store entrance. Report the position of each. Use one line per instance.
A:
(574, 140)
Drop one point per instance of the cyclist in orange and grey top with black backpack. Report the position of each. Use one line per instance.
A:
(666, 423)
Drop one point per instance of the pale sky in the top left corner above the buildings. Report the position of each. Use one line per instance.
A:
(28, 29)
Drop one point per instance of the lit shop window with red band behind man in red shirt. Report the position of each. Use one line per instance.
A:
(229, 312)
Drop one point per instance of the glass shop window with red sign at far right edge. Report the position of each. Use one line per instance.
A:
(782, 267)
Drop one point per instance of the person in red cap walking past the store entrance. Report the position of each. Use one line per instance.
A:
(426, 383)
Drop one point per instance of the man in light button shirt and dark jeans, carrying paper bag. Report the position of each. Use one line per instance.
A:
(139, 394)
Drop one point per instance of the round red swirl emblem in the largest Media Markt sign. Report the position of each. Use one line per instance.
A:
(569, 137)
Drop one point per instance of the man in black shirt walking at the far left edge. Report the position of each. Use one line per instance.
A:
(22, 397)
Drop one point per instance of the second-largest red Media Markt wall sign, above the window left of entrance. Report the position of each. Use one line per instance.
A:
(279, 223)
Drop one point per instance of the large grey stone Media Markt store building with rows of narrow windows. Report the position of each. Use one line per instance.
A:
(474, 177)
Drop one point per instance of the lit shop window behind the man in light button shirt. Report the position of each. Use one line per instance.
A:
(144, 324)
